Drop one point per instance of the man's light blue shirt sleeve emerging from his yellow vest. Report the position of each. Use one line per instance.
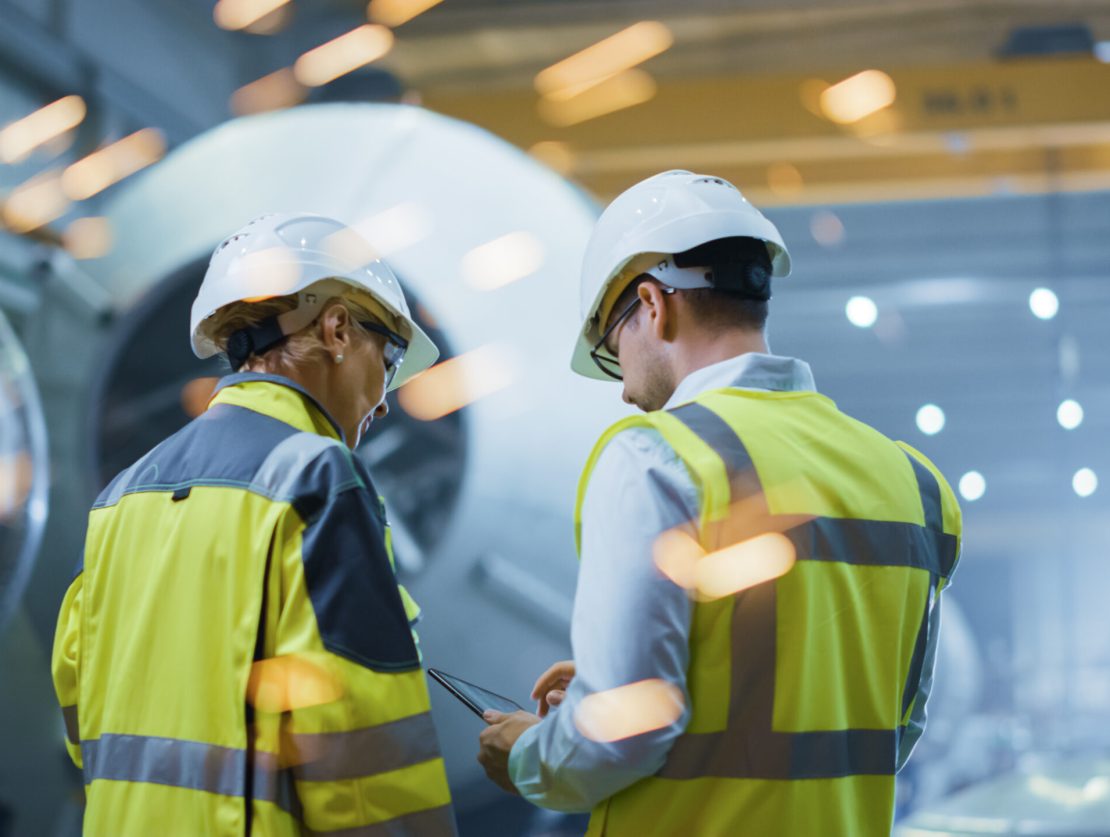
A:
(631, 623)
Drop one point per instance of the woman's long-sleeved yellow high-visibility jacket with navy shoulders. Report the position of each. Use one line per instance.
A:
(236, 656)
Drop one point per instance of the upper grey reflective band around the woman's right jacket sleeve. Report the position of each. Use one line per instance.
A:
(334, 757)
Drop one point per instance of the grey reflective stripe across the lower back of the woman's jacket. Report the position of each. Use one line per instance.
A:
(174, 762)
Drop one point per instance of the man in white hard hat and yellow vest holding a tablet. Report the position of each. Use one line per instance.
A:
(759, 598)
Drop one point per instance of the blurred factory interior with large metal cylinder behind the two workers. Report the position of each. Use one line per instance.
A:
(941, 170)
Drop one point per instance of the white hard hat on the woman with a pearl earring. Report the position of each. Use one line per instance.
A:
(317, 259)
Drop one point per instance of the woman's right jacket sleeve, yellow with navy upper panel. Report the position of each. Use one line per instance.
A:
(340, 693)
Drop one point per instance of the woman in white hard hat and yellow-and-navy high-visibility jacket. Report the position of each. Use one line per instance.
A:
(236, 656)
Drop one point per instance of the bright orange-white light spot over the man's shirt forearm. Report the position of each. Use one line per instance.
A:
(628, 711)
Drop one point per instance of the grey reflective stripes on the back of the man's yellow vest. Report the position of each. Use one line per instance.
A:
(750, 748)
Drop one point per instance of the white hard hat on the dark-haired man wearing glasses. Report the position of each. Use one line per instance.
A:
(665, 215)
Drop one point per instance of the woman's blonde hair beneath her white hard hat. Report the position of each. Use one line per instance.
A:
(300, 349)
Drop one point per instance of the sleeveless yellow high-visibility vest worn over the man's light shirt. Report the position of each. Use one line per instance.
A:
(801, 688)
